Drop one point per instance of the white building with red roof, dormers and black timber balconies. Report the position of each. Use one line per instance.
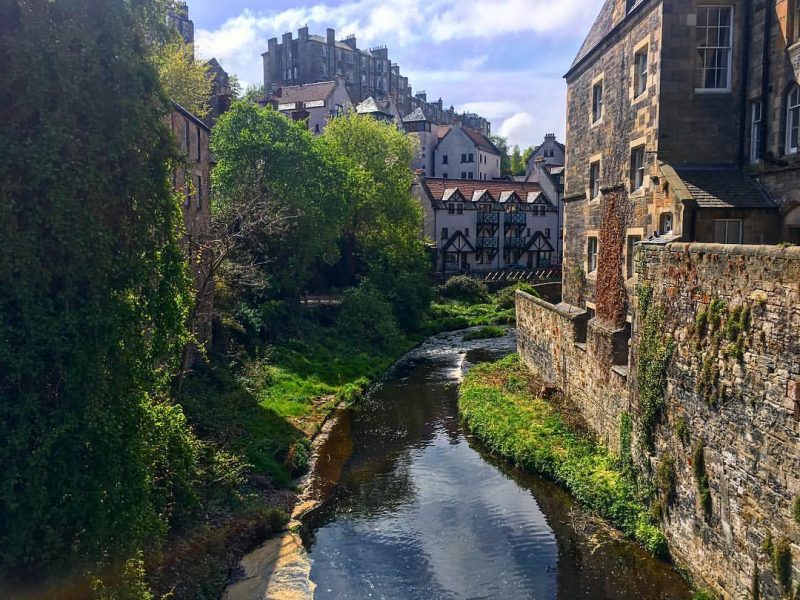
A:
(489, 225)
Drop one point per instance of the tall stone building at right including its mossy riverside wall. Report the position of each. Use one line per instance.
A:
(678, 312)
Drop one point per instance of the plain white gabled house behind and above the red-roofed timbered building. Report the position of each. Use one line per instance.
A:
(467, 154)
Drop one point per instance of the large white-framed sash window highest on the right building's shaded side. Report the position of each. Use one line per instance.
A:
(714, 47)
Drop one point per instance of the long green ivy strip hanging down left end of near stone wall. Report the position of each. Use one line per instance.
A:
(654, 355)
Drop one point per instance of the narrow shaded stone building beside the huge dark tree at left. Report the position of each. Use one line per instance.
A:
(192, 182)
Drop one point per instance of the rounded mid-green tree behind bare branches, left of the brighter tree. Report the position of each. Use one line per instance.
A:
(265, 157)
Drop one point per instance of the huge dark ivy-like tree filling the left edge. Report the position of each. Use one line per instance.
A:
(94, 288)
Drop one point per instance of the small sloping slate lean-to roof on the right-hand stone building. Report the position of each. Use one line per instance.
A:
(723, 187)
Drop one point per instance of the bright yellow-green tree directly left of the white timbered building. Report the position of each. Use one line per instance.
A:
(386, 220)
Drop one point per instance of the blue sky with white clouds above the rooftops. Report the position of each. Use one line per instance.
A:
(503, 59)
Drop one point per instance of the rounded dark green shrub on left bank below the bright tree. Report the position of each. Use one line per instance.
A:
(367, 317)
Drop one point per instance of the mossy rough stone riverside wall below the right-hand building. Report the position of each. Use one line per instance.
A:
(732, 397)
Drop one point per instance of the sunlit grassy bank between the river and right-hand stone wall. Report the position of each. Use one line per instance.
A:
(499, 405)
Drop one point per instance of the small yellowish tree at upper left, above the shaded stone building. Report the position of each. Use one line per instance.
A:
(185, 80)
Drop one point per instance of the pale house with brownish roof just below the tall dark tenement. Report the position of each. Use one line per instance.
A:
(315, 102)
